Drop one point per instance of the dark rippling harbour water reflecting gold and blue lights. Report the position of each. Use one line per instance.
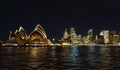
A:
(60, 58)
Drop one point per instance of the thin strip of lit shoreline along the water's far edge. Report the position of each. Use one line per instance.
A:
(44, 45)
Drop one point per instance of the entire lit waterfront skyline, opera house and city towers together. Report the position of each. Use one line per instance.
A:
(38, 37)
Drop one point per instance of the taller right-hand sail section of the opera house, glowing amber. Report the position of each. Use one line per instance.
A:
(38, 35)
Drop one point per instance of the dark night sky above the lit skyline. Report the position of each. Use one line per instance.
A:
(55, 16)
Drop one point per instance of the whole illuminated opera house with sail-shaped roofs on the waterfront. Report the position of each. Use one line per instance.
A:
(36, 38)
